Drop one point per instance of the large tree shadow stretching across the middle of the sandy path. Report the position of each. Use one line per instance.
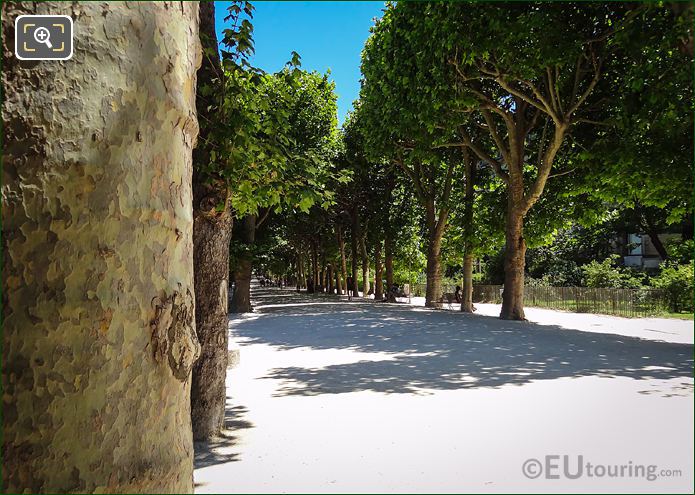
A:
(417, 349)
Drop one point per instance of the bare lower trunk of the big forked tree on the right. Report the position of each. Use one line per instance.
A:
(514, 260)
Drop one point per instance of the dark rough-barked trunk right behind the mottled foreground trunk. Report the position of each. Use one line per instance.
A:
(212, 230)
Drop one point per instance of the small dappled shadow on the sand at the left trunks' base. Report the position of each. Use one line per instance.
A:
(218, 450)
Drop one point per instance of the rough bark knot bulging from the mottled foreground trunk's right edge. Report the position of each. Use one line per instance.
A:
(173, 333)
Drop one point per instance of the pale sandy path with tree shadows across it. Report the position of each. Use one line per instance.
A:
(331, 396)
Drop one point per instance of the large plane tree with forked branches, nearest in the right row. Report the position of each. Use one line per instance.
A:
(528, 75)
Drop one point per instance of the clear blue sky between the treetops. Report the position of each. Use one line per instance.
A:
(327, 35)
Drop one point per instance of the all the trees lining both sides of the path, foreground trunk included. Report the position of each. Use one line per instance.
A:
(118, 215)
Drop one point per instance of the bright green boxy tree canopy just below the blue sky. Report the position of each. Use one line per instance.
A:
(279, 159)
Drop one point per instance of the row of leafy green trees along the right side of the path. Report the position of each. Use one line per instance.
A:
(520, 121)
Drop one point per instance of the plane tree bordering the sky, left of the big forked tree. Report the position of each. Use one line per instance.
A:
(391, 105)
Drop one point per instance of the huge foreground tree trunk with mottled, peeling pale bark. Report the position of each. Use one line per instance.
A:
(98, 307)
